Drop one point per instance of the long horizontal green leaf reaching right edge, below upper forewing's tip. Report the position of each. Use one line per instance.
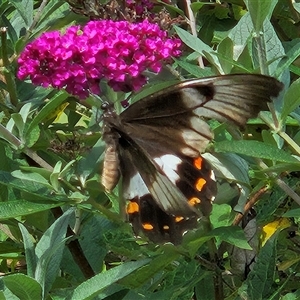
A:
(255, 149)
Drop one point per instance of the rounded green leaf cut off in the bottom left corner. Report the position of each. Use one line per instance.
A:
(24, 287)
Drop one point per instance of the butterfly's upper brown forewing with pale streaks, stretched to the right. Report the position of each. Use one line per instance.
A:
(173, 115)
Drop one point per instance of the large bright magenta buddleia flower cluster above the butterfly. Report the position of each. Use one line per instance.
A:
(116, 51)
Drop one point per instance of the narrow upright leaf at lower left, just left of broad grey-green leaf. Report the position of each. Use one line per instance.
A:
(29, 250)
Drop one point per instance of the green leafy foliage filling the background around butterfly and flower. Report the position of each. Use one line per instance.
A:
(61, 234)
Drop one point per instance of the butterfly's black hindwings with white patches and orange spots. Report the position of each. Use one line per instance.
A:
(195, 184)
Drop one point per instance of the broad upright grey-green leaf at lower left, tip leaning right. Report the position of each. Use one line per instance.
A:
(49, 251)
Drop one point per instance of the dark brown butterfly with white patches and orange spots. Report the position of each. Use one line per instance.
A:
(155, 145)
